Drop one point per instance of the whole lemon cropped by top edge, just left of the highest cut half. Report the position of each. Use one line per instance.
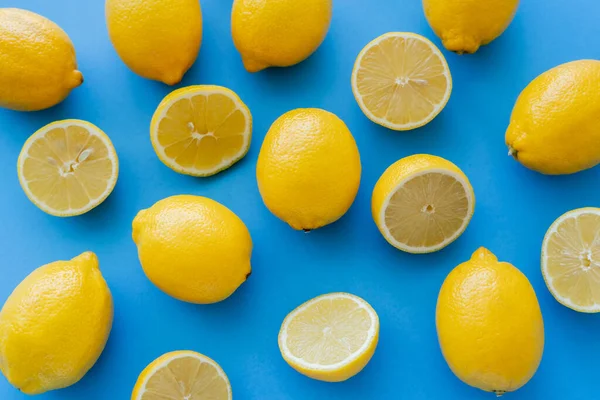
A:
(278, 33)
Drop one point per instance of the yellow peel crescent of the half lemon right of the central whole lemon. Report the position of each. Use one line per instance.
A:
(400, 171)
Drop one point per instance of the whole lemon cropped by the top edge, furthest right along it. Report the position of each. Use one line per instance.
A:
(465, 25)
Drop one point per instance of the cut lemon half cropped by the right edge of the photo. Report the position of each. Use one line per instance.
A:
(571, 259)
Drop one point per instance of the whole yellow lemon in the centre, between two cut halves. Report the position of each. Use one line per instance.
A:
(308, 169)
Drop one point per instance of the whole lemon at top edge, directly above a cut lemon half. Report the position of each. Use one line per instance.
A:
(157, 40)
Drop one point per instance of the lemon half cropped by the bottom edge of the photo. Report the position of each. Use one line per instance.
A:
(182, 375)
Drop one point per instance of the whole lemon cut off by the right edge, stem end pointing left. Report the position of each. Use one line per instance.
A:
(554, 127)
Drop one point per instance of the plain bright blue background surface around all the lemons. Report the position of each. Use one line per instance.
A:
(514, 207)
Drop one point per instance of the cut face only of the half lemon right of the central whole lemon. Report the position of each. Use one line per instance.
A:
(427, 211)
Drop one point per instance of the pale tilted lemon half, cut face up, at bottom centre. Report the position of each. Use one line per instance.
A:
(331, 337)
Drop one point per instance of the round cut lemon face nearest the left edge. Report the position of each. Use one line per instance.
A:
(68, 167)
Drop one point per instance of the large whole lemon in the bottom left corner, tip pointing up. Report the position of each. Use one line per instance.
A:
(55, 324)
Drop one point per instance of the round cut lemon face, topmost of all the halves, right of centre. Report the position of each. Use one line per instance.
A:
(401, 81)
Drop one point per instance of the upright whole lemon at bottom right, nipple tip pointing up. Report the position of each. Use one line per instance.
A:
(489, 324)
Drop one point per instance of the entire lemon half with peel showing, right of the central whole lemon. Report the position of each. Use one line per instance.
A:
(422, 203)
